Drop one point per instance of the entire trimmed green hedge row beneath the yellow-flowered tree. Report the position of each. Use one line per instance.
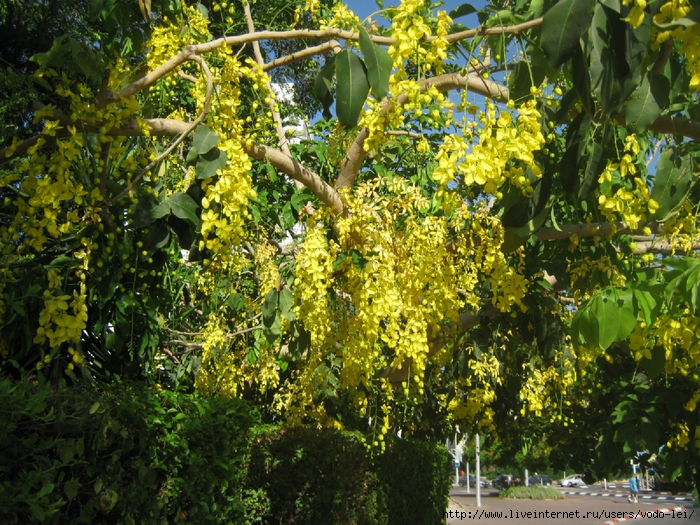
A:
(130, 454)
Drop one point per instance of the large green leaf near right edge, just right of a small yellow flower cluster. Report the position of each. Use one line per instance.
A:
(674, 179)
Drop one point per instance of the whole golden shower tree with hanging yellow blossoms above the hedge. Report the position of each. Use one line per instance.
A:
(491, 227)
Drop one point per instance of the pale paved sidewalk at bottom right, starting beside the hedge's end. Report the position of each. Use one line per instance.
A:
(574, 510)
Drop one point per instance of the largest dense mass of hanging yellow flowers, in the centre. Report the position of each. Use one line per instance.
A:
(388, 280)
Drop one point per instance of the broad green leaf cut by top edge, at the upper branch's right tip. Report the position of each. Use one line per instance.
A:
(562, 27)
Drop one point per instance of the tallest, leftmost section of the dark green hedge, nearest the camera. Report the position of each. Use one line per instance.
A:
(125, 455)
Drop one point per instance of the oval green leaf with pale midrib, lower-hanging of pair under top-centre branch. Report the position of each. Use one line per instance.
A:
(353, 87)
